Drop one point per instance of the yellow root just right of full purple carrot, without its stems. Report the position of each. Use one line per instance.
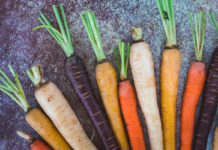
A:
(107, 83)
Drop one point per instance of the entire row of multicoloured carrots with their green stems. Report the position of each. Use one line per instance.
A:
(61, 128)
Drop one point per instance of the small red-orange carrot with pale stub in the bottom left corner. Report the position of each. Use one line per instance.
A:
(36, 144)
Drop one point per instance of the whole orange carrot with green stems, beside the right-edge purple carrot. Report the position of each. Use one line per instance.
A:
(194, 84)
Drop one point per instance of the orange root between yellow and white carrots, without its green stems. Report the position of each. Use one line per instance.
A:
(130, 114)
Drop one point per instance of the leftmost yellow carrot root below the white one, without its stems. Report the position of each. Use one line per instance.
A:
(45, 128)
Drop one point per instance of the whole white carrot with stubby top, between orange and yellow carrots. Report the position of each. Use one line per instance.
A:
(142, 66)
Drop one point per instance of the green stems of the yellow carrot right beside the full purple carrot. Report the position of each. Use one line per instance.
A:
(92, 30)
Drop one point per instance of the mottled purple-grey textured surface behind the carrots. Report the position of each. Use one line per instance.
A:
(21, 47)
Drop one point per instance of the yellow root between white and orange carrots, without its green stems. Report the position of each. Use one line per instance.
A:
(169, 77)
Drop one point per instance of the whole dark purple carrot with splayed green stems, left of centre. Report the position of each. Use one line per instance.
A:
(78, 77)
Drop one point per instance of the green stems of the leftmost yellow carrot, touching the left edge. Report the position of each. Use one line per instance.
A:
(14, 90)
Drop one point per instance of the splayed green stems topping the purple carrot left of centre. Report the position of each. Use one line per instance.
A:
(63, 38)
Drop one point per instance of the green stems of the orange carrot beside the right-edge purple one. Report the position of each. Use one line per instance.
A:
(198, 33)
